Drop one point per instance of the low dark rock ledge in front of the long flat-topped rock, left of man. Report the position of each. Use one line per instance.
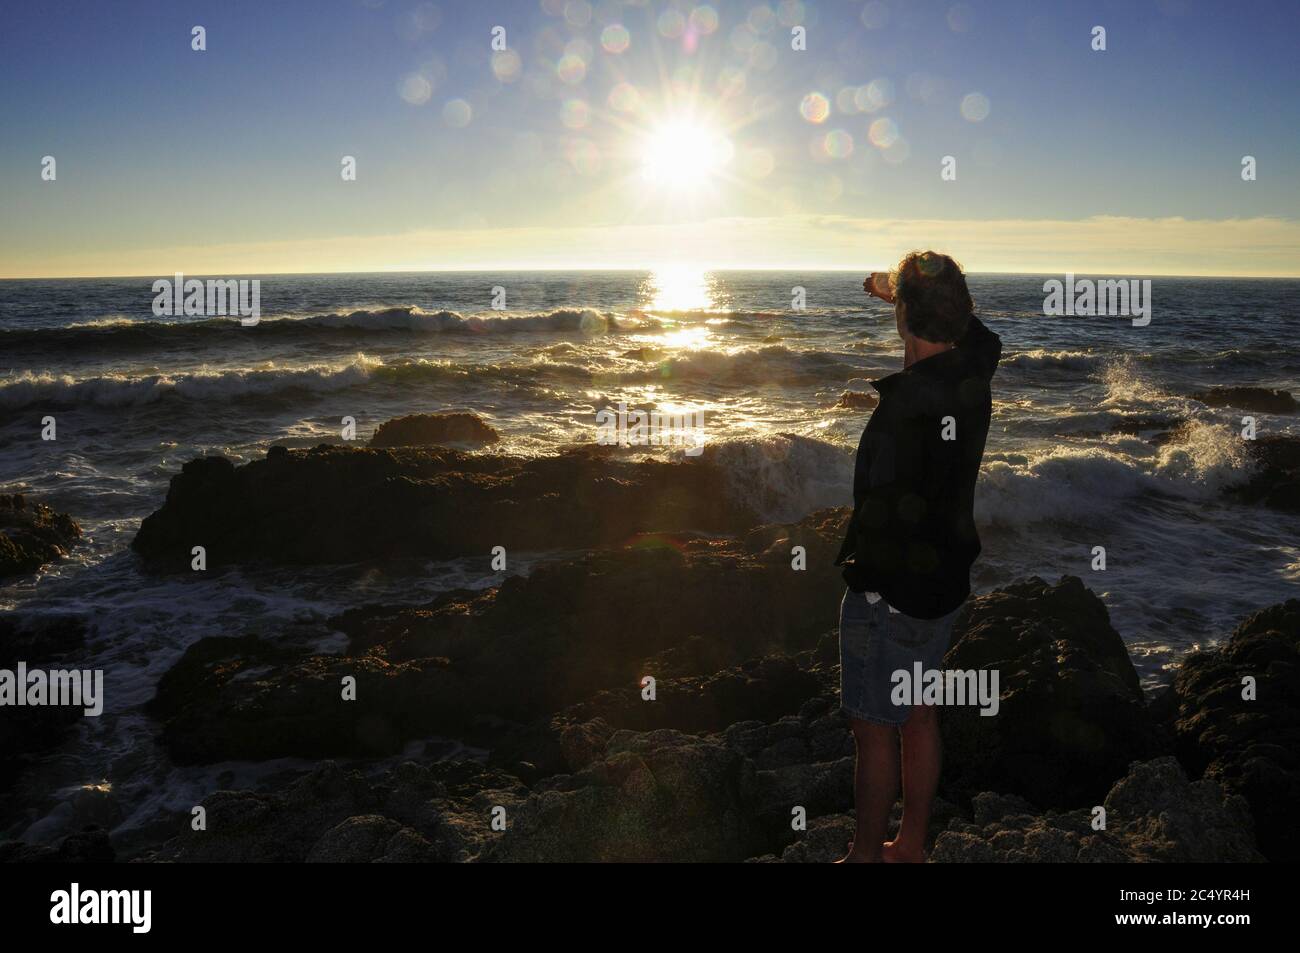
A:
(473, 664)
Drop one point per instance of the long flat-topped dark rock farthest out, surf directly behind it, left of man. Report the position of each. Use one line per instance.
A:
(344, 505)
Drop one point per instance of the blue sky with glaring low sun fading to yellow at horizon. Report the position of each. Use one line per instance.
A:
(228, 161)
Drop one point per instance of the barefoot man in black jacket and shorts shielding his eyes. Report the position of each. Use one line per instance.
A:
(911, 544)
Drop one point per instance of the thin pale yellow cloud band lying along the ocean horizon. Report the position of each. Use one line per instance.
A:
(1102, 245)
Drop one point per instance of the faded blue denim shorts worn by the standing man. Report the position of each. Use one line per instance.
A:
(876, 643)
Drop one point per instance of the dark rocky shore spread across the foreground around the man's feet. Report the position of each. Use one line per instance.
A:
(669, 694)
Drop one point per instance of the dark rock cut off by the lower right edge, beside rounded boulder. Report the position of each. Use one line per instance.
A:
(1253, 748)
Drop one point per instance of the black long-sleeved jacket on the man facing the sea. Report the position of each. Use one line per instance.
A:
(913, 534)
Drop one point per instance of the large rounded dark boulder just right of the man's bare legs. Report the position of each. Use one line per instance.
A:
(1072, 714)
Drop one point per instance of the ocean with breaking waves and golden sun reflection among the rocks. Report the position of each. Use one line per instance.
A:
(1097, 441)
